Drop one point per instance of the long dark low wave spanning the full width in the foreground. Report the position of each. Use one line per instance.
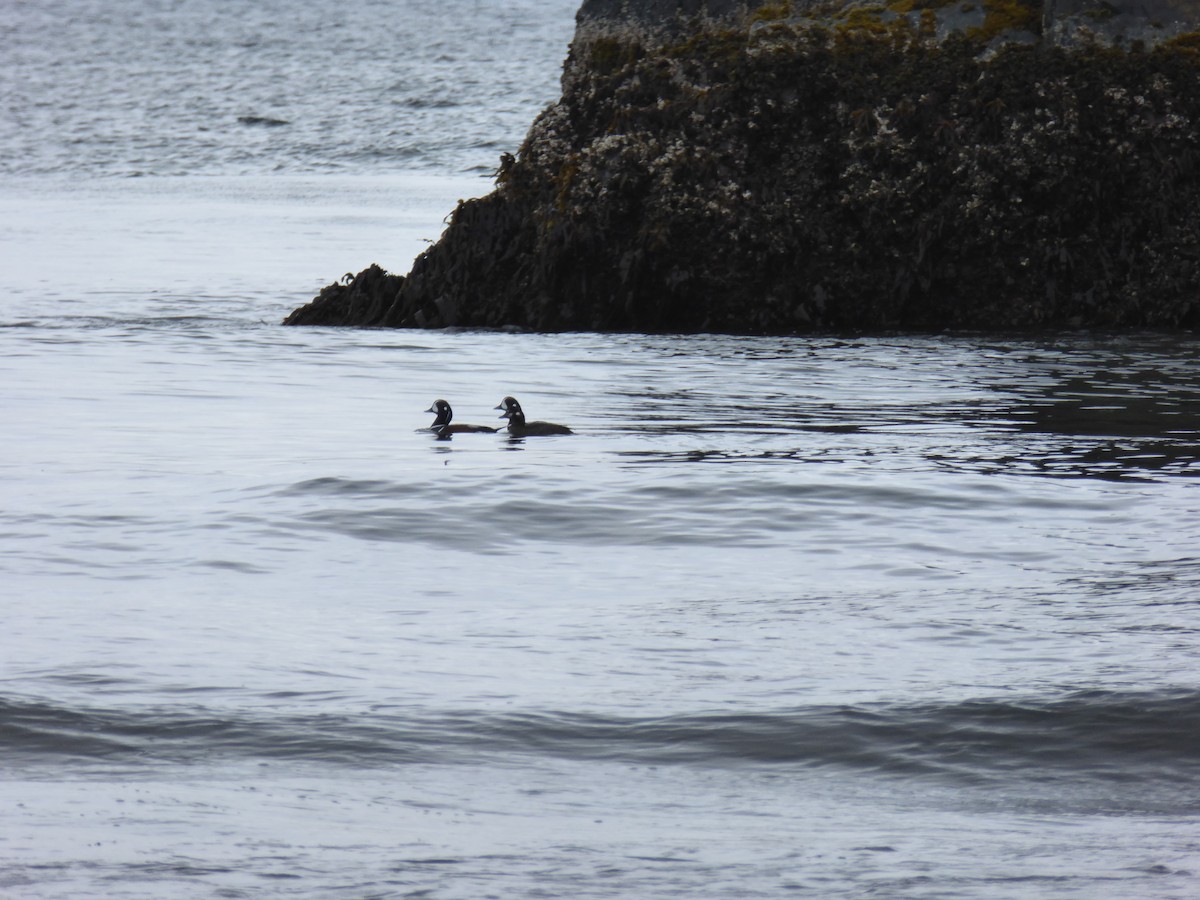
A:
(1126, 739)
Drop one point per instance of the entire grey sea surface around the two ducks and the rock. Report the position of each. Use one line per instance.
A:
(831, 617)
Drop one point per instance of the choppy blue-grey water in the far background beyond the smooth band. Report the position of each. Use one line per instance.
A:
(253, 87)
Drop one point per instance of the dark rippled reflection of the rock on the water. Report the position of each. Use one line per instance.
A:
(1076, 407)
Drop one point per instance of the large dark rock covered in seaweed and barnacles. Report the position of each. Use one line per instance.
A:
(783, 167)
